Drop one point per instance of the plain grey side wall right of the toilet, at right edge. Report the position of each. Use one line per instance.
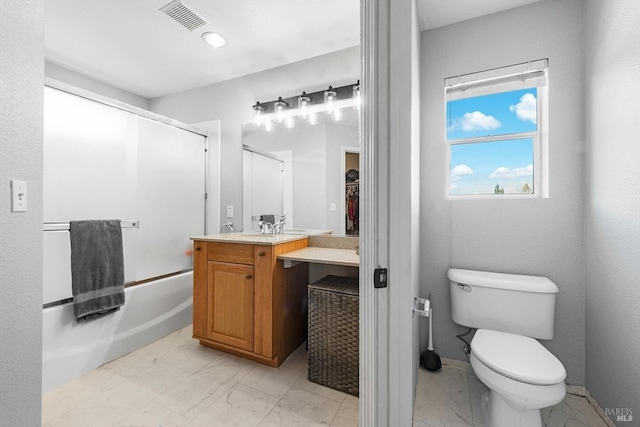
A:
(612, 64)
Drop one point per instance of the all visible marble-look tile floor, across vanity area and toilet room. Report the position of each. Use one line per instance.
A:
(177, 382)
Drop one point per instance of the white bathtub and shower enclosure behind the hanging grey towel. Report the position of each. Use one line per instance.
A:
(105, 160)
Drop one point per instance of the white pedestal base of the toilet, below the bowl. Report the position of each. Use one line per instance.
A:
(498, 413)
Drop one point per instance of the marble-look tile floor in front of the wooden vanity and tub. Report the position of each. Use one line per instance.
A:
(177, 382)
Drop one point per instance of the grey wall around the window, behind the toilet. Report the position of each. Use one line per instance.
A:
(541, 236)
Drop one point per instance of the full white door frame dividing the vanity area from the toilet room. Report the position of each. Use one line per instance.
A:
(390, 215)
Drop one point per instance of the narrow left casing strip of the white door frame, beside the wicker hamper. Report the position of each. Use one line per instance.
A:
(373, 302)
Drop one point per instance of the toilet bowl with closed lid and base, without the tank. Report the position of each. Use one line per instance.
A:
(522, 377)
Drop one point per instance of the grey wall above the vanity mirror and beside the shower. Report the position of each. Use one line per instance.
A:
(231, 102)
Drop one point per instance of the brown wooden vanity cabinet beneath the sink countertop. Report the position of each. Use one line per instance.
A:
(246, 303)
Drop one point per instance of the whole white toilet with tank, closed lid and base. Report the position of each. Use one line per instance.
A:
(510, 312)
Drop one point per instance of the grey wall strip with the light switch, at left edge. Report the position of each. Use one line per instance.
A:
(21, 106)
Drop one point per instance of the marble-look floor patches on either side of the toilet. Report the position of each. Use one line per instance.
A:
(451, 397)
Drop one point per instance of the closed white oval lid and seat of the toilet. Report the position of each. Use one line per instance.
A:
(518, 357)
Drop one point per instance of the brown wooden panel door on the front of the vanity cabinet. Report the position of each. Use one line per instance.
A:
(230, 304)
